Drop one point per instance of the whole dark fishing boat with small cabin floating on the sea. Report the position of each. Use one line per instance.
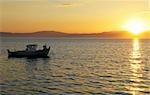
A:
(30, 52)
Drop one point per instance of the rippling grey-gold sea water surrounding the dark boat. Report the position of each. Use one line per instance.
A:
(77, 66)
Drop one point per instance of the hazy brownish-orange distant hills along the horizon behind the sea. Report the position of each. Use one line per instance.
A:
(111, 34)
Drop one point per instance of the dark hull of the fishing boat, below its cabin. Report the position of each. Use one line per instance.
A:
(29, 54)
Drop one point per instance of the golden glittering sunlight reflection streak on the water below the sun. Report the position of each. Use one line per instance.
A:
(136, 68)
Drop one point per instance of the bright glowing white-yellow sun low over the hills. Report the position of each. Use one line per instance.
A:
(135, 26)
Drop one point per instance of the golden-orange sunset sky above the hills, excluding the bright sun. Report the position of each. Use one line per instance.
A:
(71, 16)
